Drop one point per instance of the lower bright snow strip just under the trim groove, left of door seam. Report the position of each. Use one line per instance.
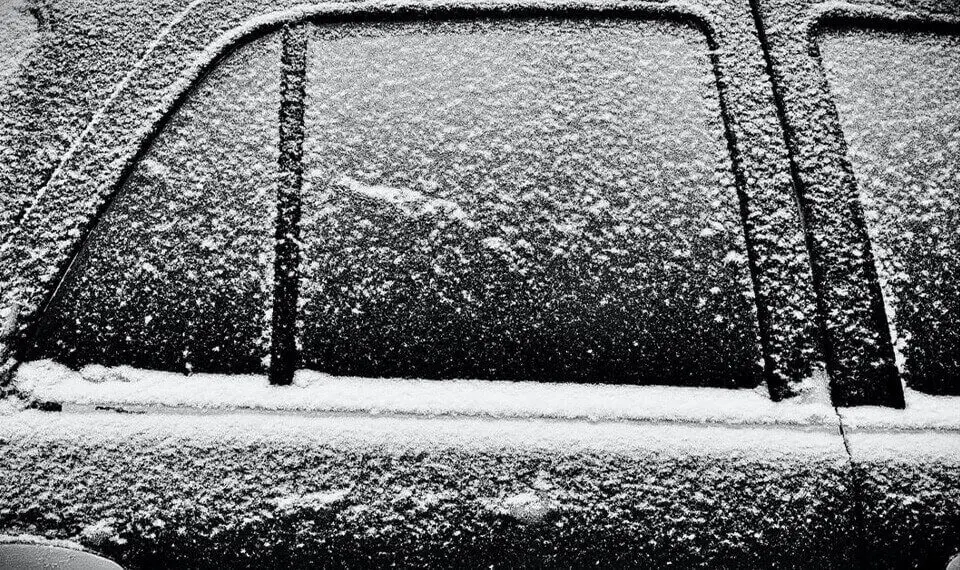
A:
(223, 432)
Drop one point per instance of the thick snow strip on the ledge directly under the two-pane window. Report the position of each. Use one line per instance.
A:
(126, 387)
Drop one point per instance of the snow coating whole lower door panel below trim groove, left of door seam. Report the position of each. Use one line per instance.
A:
(236, 486)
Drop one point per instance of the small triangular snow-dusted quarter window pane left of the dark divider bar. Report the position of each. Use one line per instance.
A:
(177, 274)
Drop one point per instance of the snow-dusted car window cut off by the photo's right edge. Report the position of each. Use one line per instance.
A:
(898, 97)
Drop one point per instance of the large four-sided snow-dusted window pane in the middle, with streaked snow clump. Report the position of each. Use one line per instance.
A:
(522, 199)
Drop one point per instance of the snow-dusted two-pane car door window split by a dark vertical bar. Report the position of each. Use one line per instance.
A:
(544, 199)
